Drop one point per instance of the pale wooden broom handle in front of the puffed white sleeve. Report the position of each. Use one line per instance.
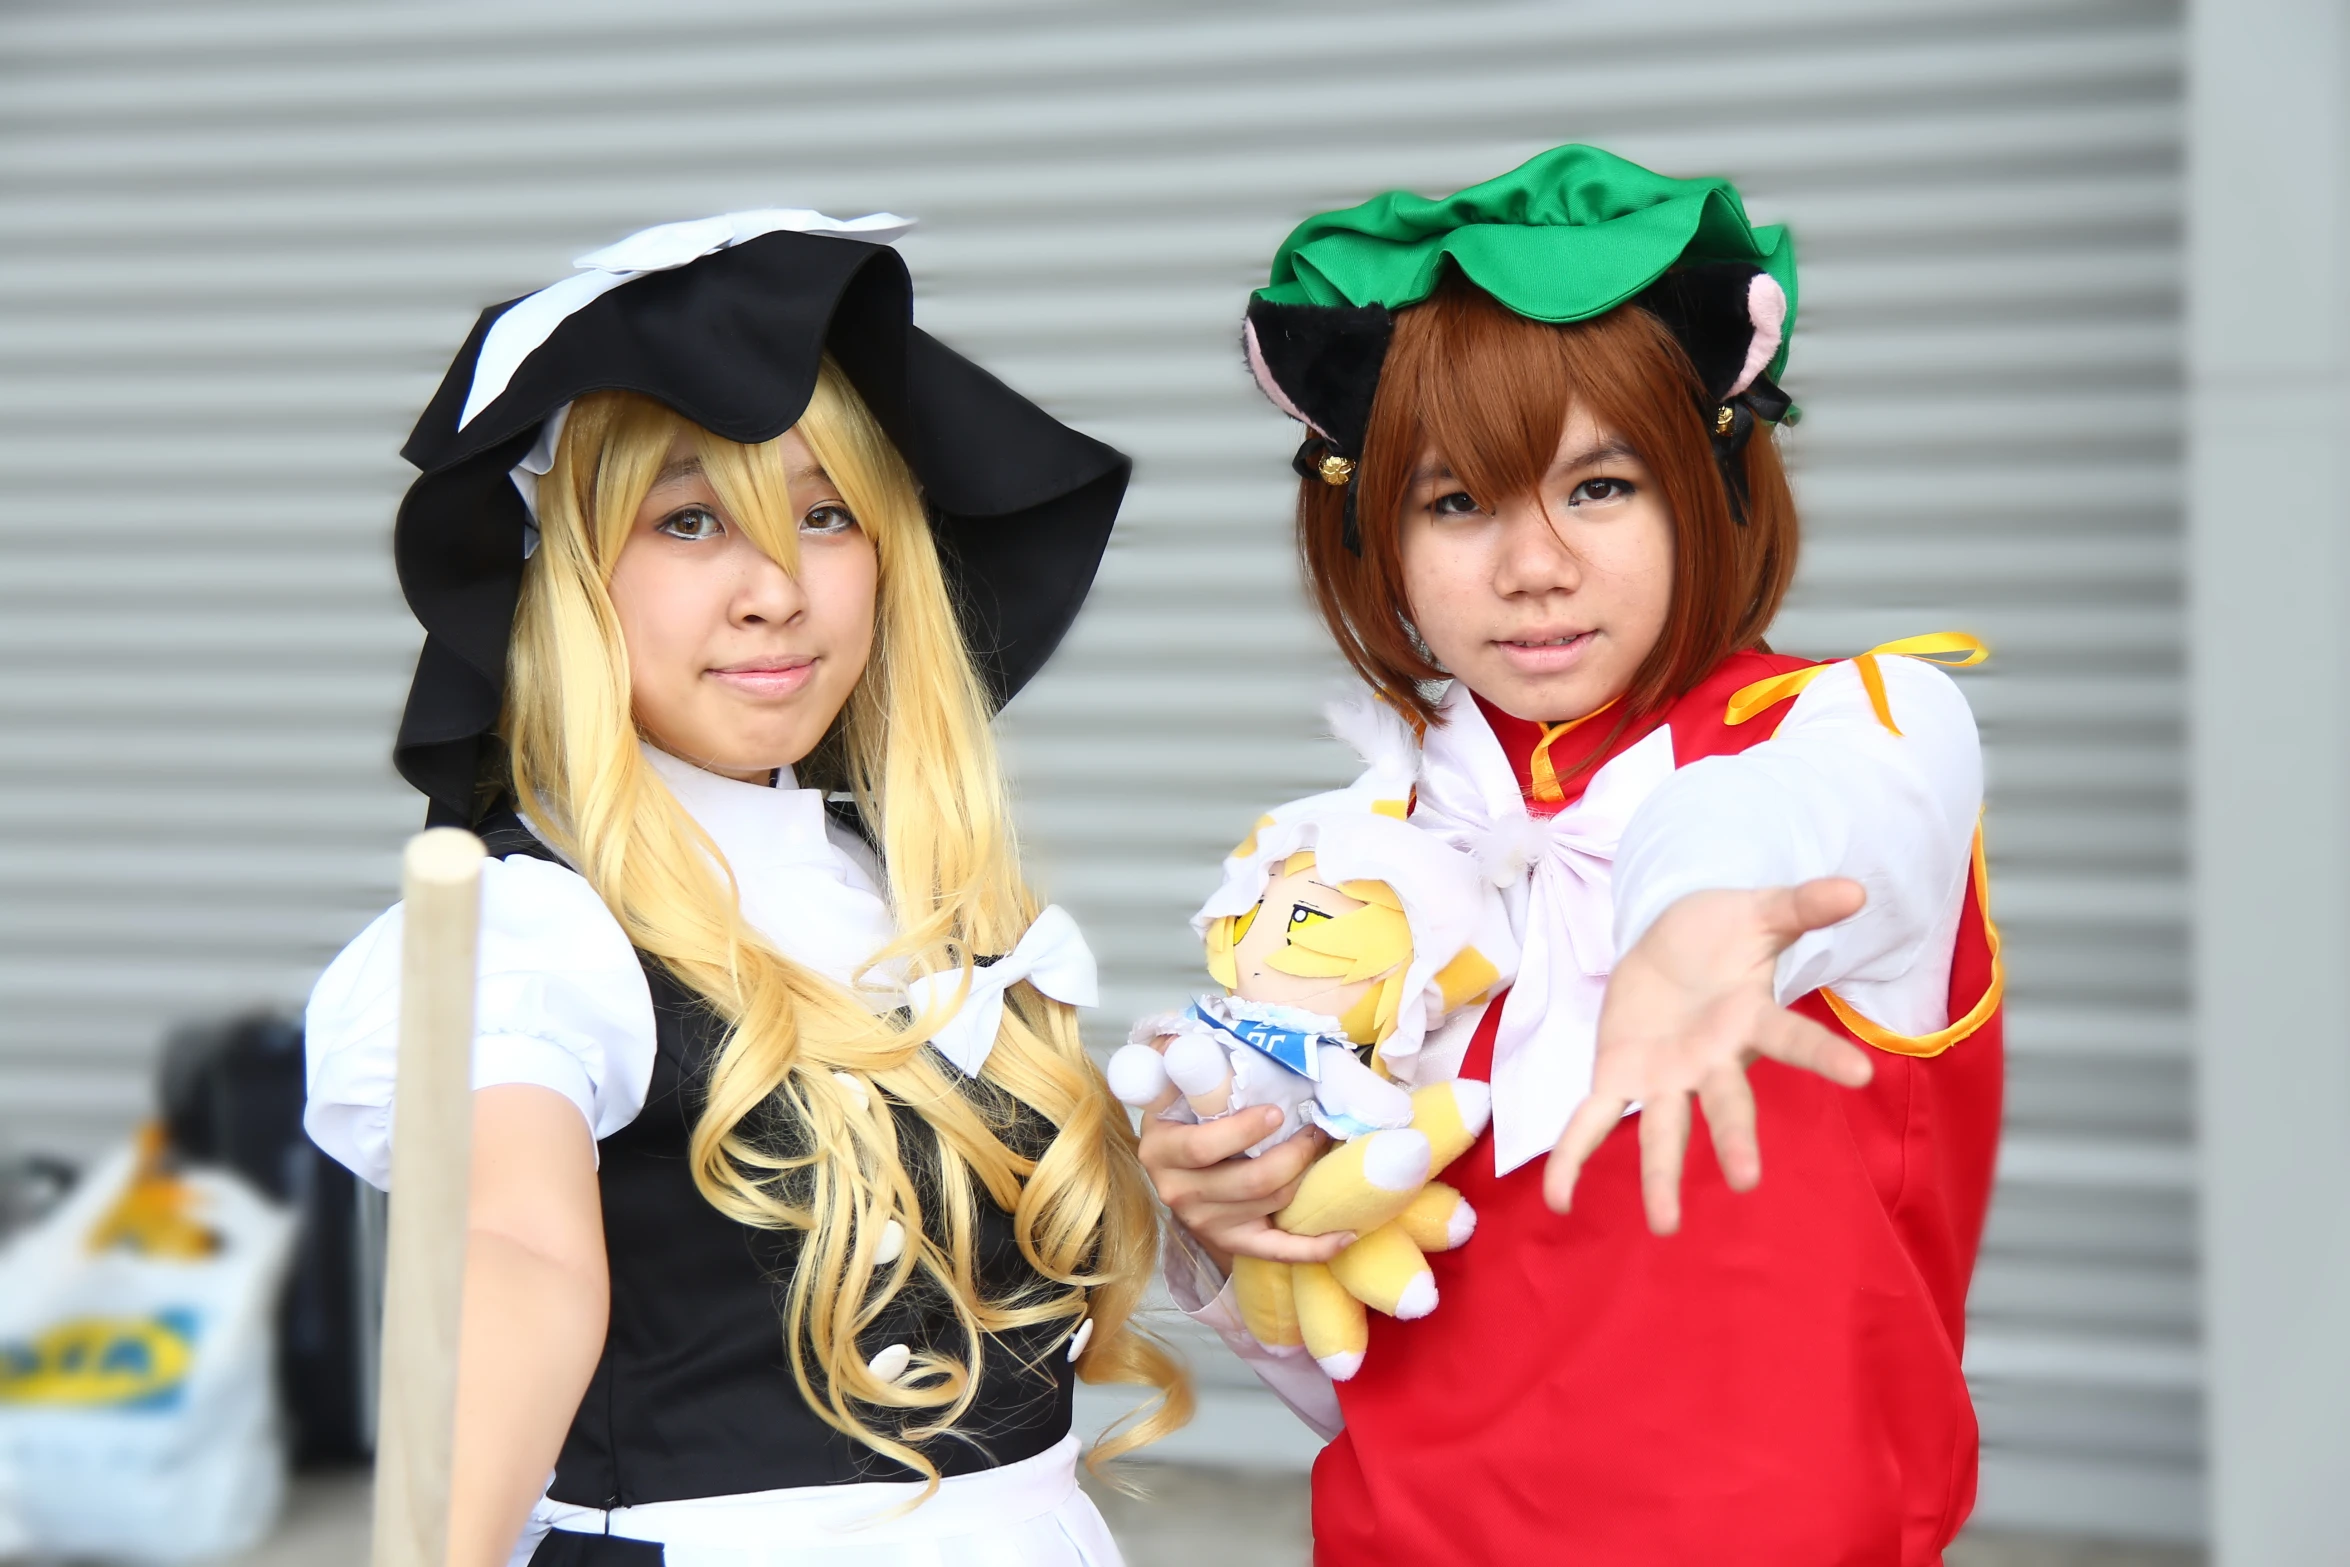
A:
(441, 880)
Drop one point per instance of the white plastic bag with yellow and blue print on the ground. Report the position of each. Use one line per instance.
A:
(137, 1350)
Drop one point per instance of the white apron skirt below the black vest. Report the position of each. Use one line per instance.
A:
(1026, 1514)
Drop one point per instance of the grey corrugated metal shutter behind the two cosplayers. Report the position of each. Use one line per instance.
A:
(239, 241)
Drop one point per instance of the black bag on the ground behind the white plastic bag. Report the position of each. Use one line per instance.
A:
(234, 1096)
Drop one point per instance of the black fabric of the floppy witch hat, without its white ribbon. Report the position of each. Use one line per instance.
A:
(1019, 502)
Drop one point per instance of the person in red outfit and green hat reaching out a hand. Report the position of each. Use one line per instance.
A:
(1543, 513)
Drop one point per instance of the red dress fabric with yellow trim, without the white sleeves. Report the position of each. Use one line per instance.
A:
(1773, 1387)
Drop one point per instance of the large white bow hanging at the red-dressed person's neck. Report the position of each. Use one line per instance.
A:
(1559, 880)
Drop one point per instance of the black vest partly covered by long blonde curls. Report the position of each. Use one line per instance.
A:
(694, 1392)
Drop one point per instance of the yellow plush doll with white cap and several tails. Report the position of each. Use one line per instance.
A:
(1343, 941)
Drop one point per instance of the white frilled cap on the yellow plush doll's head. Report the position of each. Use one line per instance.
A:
(1461, 929)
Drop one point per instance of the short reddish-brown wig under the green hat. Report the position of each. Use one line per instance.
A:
(1491, 391)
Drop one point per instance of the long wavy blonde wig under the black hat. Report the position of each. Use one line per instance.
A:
(798, 1131)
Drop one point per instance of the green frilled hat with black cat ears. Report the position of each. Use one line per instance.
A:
(1562, 238)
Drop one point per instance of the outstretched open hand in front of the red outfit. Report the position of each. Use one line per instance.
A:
(1686, 1011)
